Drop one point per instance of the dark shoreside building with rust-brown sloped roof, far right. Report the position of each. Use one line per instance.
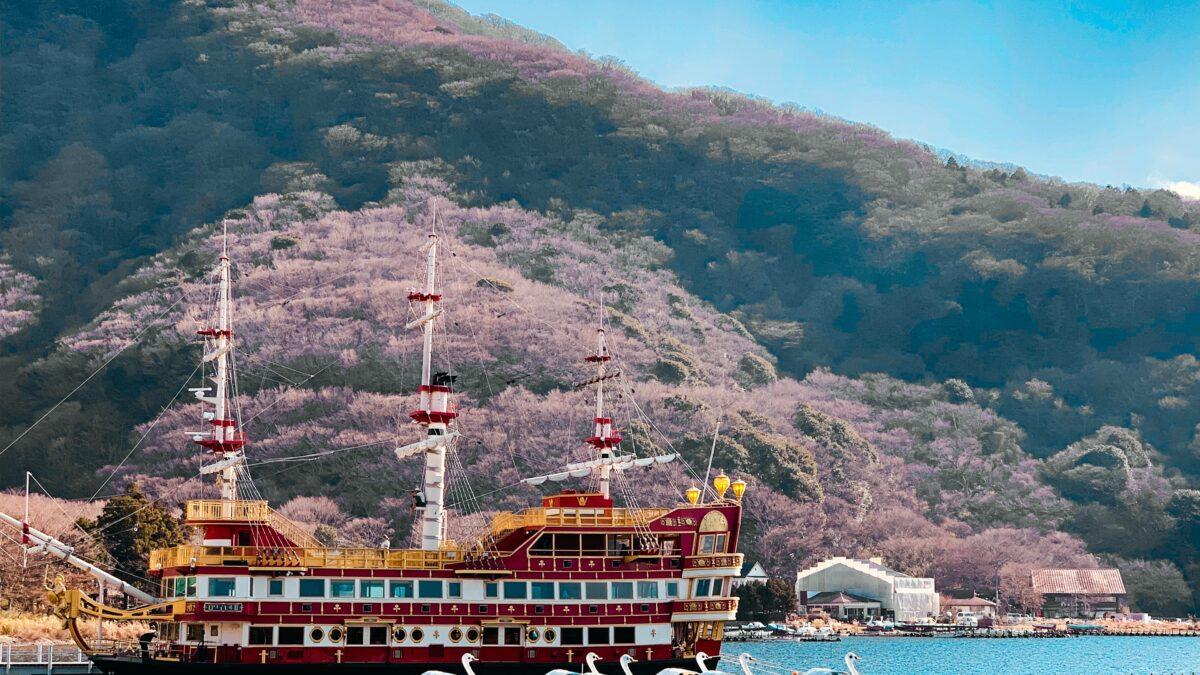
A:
(1079, 593)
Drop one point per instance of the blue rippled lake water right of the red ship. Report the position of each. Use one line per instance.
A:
(952, 656)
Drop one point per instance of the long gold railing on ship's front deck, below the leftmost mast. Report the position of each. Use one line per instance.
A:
(304, 558)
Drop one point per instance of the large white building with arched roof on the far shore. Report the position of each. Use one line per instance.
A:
(849, 588)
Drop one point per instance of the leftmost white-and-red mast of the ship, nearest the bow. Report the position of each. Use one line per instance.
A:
(225, 441)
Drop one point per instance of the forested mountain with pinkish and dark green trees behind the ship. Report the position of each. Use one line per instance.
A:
(965, 371)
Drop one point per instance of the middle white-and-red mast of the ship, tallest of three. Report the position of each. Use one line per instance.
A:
(435, 411)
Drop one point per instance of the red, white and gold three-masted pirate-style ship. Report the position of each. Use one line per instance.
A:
(539, 589)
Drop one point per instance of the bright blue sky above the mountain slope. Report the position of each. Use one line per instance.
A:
(1100, 92)
